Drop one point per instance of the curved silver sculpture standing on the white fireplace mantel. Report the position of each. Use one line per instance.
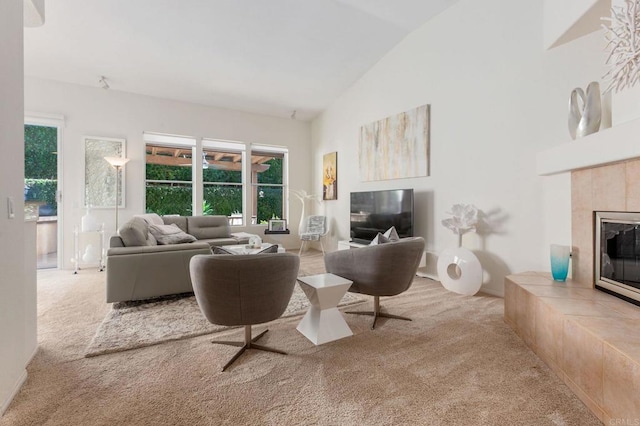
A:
(585, 111)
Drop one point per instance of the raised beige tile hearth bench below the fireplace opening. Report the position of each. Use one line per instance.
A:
(590, 339)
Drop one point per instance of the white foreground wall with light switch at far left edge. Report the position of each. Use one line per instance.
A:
(17, 288)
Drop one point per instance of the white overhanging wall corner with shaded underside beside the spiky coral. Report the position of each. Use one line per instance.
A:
(567, 20)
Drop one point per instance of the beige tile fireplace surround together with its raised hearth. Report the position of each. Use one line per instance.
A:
(590, 339)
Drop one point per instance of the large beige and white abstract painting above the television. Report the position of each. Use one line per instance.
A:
(396, 147)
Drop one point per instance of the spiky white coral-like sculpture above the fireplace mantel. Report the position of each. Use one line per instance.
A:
(624, 46)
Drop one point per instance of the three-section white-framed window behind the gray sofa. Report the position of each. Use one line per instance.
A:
(179, 172)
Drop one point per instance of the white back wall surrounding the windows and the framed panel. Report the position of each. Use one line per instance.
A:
(109, 113)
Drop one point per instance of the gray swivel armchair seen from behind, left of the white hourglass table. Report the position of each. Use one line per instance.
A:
(244, 290)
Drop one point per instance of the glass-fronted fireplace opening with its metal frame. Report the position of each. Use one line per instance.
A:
(617, 254)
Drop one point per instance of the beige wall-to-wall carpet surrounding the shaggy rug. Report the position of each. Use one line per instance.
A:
(456, 363)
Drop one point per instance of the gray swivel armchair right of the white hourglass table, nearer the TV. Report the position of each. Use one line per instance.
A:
(379, 270)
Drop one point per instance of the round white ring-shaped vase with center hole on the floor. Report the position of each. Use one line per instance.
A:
(460, 271)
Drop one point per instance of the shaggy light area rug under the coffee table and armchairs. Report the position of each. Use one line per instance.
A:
(132, 325)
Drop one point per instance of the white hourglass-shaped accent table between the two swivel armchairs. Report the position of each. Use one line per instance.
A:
(324, 322)
